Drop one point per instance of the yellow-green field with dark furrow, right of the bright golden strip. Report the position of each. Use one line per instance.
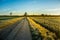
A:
(51, 24)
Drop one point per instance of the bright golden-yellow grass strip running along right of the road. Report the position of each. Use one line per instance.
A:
(44, 33)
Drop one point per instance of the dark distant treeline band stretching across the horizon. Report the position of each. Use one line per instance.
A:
(30, 16)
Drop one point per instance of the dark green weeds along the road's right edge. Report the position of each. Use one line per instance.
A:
(34, 33)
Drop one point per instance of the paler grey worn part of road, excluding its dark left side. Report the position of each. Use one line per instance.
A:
(21, 32)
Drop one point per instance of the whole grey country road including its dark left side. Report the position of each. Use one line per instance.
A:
(17, 31)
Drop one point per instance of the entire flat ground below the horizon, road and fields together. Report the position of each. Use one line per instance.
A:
(30, 28)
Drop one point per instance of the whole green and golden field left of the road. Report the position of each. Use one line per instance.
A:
(6, 21)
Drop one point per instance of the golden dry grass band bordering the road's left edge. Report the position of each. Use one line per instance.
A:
(9, 22)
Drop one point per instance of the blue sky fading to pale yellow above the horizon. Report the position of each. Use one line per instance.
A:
(18, 7)
